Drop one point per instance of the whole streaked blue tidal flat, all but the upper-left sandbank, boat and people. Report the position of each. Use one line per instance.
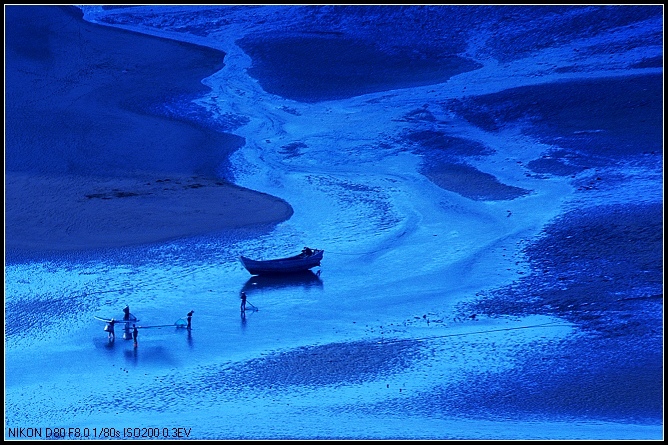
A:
(485, 183)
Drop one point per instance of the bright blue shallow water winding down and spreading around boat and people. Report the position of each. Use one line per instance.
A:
(376, 345)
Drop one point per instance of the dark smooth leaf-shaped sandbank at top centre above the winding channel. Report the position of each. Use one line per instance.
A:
(353, 67)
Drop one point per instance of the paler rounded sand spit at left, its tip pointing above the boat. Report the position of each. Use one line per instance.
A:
(66, 212)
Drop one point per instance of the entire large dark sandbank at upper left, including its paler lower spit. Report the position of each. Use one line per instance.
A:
(92, 158)
